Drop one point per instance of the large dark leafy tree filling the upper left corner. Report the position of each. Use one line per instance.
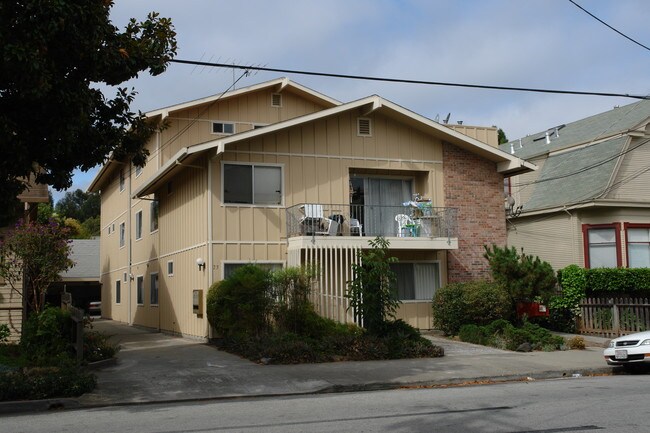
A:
(53, 118)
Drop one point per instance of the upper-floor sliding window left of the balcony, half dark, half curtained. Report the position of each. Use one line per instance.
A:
(256, 184)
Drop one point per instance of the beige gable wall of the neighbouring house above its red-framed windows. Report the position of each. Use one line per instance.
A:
(632, 180)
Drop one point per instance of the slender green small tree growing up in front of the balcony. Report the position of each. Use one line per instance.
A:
(372, 292)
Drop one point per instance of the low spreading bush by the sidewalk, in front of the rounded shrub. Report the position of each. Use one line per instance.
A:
(503, 335)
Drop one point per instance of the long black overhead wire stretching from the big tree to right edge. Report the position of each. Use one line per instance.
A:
(405, 81)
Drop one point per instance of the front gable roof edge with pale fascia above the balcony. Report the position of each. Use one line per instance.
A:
(506, 163)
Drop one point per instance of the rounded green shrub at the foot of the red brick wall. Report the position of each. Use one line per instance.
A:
(474, 302)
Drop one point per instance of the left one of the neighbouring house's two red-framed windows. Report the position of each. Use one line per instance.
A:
(602, 245)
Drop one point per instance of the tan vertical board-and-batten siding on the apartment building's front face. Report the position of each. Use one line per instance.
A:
(318, 159)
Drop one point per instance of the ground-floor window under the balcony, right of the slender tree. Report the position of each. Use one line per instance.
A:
(417, 281)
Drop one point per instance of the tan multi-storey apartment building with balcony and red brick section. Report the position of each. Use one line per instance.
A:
(280, 175)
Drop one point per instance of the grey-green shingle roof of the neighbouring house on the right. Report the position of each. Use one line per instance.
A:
(582, 157)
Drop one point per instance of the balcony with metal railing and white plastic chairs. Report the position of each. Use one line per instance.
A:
(413, 225)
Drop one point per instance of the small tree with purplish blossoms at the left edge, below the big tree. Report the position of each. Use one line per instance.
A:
(33, 256)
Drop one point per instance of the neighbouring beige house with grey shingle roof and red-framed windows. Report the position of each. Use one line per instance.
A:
(589, 201)
